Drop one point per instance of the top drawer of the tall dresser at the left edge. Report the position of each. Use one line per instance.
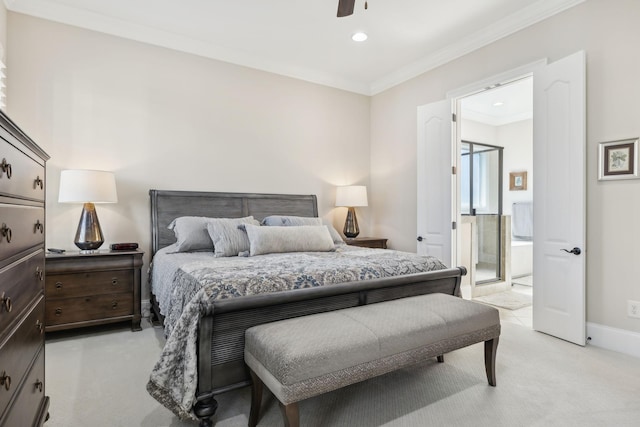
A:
(20, 176)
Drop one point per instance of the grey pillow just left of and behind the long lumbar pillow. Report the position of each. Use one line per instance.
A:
(227, 238)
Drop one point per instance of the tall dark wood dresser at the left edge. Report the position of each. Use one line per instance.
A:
(22, 215)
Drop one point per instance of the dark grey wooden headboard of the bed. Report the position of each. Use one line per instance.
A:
(168, 205)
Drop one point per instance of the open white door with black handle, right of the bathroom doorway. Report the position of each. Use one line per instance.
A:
(559, 194)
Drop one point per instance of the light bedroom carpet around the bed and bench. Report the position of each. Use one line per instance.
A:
(98, 379)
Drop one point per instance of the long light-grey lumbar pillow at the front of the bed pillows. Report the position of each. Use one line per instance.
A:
(277, 239)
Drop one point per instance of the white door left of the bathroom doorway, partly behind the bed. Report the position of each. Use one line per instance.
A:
(435, 234)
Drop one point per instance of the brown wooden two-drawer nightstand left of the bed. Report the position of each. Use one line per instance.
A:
(92, 289)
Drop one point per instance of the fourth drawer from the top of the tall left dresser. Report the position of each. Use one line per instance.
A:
(18, 351)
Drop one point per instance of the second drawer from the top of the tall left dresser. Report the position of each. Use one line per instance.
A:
(21, 227)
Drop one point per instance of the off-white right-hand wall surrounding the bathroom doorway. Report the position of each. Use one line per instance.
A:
(608, 32)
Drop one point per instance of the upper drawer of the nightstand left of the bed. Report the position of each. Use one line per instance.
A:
(89, 283)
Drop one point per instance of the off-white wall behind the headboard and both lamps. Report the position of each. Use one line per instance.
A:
(161, 119)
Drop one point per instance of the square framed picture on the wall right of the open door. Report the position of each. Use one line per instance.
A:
(618, 159)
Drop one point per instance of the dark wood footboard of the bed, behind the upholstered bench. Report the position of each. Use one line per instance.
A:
(221, 366)
